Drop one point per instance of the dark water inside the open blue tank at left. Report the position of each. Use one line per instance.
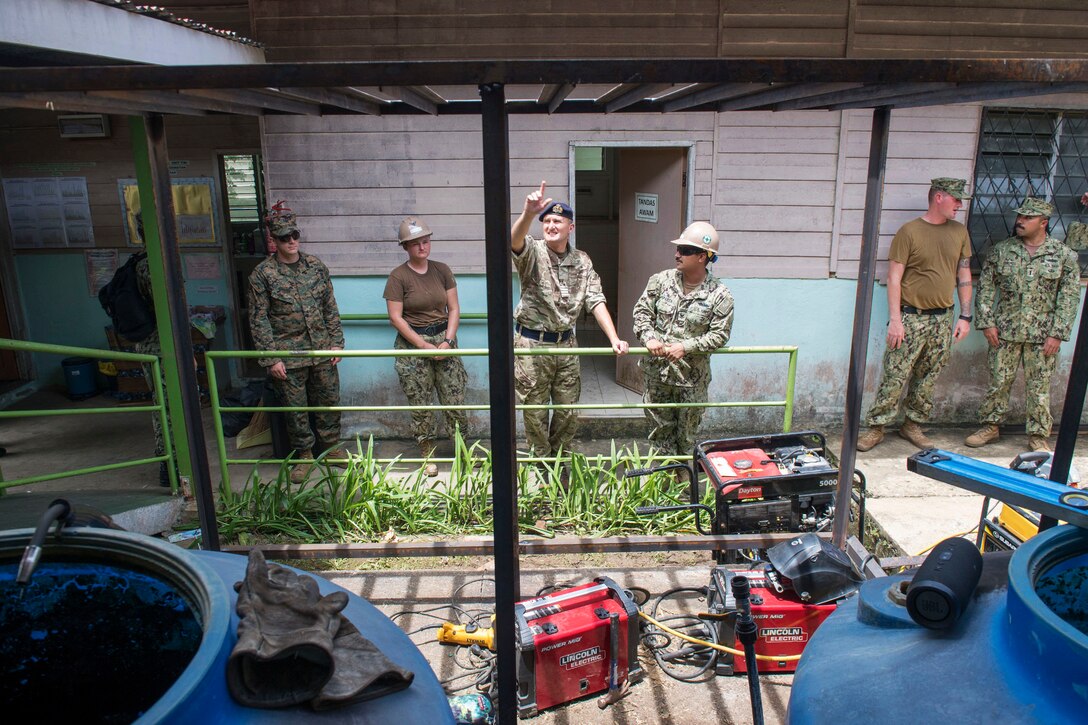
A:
(90, 643)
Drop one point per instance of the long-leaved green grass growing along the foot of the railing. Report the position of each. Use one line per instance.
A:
(366, 500)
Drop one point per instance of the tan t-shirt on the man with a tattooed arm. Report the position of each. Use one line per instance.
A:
(931, 254)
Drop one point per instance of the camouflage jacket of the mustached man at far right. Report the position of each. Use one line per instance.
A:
(1036, 297)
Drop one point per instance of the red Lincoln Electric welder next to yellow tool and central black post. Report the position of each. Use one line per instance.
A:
(564, 645)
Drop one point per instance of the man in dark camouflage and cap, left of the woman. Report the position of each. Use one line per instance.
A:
(292, 308)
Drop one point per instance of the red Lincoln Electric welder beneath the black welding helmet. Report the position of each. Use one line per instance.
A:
(786, 624)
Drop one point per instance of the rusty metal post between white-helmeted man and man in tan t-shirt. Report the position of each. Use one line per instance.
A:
(863, 317)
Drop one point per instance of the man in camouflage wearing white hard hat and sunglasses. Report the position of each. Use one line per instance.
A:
(684, 315)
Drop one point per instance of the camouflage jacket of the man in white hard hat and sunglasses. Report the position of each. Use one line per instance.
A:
(702, 321)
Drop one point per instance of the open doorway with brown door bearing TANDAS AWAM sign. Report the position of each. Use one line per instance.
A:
(629, 202)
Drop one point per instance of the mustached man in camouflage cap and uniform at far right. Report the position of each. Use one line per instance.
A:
(1038, 279)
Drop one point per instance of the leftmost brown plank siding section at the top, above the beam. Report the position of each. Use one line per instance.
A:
(436, 30)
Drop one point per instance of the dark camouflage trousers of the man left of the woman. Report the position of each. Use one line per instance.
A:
(311, 386)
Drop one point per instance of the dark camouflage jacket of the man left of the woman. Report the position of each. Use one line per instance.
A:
(293, 310)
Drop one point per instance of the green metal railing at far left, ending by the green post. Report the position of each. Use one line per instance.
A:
(98, 355)
